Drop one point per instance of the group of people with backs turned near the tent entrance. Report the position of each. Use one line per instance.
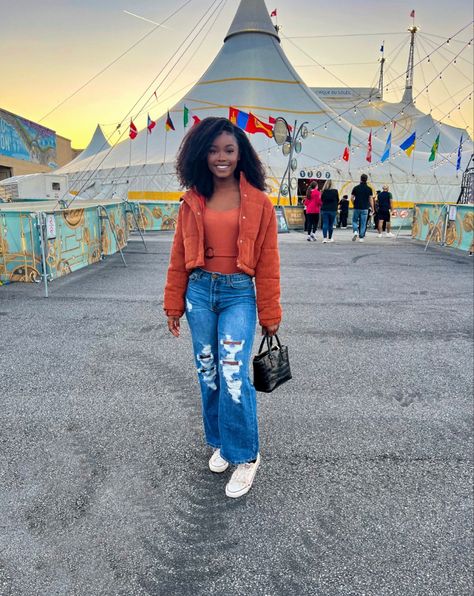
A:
(326, 204)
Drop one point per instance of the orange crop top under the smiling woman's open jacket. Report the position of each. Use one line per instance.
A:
(221, 232)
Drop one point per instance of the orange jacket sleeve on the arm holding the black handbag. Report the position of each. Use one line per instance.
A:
(267, 275)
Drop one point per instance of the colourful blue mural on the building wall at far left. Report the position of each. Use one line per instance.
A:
(26, 140)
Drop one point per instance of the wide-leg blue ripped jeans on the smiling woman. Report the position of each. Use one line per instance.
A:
(221, 313)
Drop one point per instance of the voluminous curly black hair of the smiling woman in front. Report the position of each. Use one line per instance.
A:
(191, 163)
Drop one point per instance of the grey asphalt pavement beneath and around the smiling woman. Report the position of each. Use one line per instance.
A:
(365, 484)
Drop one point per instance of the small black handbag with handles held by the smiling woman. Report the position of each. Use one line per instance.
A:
(271, 368)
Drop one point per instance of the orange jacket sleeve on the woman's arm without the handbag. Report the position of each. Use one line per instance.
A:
(177, 276)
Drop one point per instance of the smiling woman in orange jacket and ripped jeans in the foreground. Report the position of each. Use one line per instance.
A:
(226, 235)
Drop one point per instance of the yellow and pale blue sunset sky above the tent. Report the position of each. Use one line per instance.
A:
(52, 48)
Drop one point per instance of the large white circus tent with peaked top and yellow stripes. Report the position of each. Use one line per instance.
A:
(252, 73)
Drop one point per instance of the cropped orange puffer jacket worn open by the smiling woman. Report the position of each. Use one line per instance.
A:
(257, 256)
